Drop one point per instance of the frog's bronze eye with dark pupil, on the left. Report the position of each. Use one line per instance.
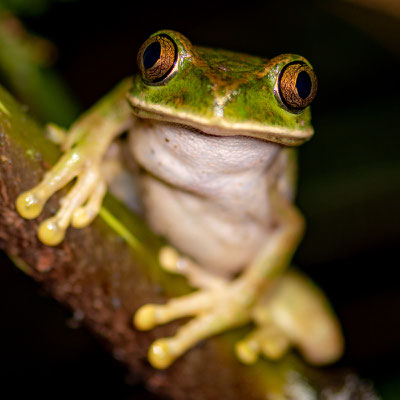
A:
(157, 58)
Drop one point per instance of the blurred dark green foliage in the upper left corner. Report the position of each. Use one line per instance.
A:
(26, 67)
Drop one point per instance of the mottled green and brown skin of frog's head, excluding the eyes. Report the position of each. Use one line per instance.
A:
(244, 86)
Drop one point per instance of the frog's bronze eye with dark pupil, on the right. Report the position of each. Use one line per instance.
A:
(297, 86)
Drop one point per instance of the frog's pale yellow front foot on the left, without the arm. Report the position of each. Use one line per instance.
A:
(81, 204)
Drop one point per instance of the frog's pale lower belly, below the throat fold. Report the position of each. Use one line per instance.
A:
(219, 241)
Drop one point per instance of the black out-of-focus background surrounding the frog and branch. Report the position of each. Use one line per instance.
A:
(349, 187)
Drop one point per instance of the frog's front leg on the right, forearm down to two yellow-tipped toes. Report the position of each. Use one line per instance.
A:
(219, 309)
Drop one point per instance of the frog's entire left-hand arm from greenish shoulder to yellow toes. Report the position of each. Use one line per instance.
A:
(84, 148)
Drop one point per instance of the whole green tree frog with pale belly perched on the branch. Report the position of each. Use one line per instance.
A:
(214, 135)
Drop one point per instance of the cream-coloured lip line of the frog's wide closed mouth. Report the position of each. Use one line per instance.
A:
(220, 126)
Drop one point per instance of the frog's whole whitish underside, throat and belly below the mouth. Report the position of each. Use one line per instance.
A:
(208, 195)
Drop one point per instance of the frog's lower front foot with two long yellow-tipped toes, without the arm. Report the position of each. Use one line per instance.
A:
(214, 311)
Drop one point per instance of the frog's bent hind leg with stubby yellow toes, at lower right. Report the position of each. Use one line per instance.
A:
(294, 312)
